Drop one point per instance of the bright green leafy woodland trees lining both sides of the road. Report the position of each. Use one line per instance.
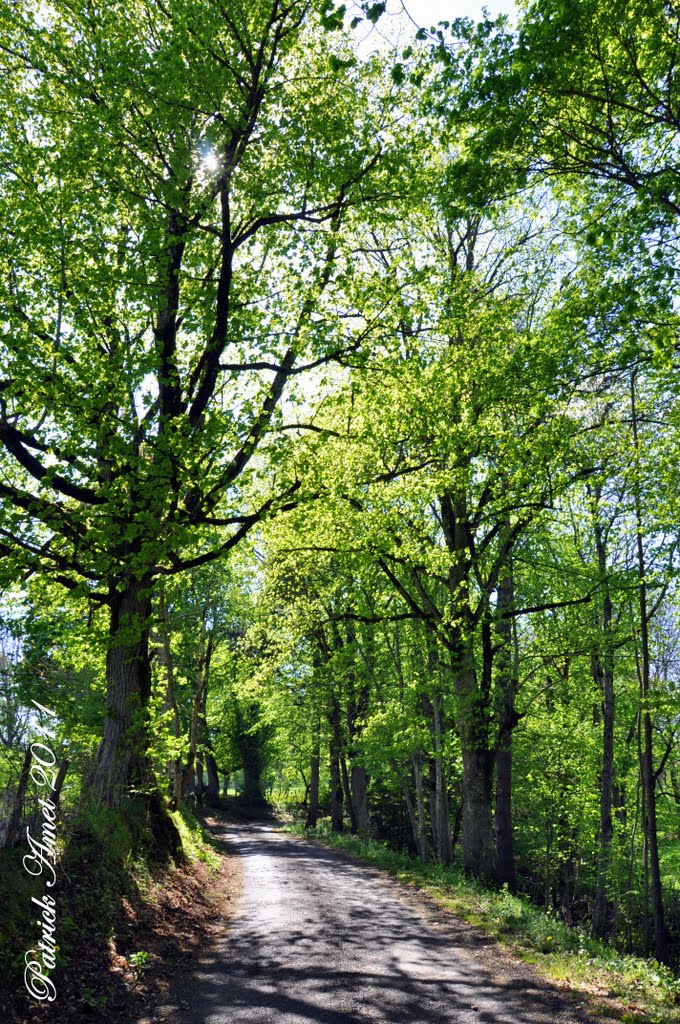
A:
(339, 439)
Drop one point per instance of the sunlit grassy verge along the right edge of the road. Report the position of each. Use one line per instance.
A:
(636, 990)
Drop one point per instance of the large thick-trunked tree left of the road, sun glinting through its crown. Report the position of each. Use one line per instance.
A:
(165, 170)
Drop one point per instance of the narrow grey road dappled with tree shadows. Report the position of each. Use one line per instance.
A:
(320, 941)
